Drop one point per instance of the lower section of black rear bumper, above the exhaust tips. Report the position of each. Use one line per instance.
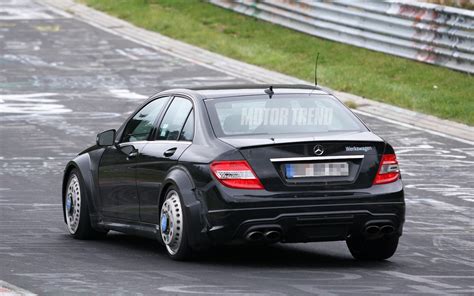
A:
(306, 224)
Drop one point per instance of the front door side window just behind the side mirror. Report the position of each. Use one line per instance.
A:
(141, 125)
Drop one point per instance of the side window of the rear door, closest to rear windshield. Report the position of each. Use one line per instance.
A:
(174, 119)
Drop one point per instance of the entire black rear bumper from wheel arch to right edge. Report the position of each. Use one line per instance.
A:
(308, 220)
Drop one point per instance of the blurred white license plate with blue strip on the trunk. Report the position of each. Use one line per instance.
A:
(305, 170)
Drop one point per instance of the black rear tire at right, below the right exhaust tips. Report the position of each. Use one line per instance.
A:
(375, 249)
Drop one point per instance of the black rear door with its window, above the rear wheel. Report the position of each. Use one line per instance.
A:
(173, 135)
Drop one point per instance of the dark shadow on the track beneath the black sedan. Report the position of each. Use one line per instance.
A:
(311, 255)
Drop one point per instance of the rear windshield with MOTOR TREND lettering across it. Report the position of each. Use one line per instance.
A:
(282, 114)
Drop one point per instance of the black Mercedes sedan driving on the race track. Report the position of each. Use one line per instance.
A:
(239, 164)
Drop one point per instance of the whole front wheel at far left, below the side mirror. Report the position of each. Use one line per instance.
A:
(76, 209)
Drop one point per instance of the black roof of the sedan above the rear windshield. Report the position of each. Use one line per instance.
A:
(218, 91)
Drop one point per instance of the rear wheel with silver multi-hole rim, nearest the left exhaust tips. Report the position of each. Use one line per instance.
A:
(177, 249)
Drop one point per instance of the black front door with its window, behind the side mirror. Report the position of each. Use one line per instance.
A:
(117, 168)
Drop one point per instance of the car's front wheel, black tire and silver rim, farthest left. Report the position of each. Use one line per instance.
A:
(83, 230)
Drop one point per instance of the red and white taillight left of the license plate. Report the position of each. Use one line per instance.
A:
(235, 174)
